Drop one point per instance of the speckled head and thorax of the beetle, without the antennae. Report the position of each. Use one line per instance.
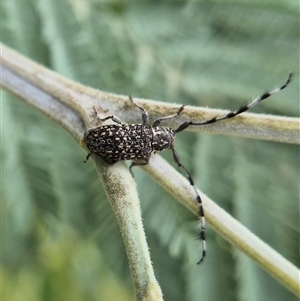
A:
(163, 138)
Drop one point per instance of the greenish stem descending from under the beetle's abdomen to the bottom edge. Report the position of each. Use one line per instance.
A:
(121, 190)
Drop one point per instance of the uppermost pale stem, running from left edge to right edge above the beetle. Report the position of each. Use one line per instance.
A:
(82, 99)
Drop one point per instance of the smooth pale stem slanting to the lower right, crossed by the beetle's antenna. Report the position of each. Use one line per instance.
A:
(225, 224)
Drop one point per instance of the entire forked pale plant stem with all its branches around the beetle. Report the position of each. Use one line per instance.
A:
(28, 79)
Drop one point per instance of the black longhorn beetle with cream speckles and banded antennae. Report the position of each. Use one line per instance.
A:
(120, 142)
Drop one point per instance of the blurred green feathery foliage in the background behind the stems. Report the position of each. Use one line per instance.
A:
(59, 242)
